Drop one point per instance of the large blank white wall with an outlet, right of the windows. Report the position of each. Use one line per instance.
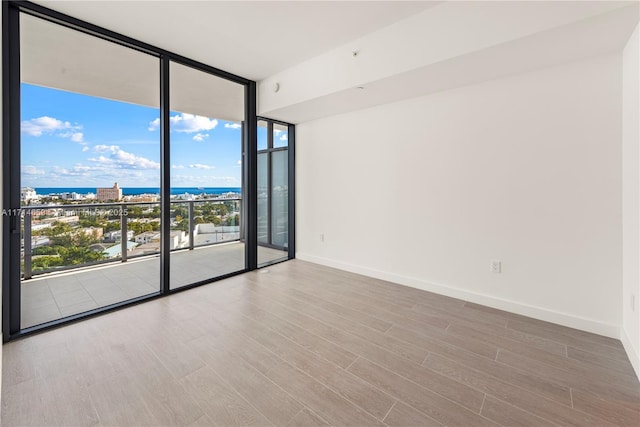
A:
(524, 169)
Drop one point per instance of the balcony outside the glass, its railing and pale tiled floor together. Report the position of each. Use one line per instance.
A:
(123, 269)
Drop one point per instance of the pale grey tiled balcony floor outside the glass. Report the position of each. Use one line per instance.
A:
(52, 296)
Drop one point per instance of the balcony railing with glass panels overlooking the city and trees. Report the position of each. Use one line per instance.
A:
(64, 237)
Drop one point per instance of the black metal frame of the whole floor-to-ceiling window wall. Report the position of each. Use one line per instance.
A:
(11, 299)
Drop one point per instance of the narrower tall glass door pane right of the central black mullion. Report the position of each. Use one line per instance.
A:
(207, 116)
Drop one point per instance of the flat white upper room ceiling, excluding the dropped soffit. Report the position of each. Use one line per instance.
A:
(253, 39)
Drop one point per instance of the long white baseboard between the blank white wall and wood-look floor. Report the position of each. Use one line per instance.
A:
(564, 319)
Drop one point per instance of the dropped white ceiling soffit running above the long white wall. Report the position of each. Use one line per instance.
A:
(310, 91)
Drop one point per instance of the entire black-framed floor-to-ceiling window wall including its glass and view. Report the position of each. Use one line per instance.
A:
(130, 172)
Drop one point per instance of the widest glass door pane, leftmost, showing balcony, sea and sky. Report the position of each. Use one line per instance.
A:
(89, 172)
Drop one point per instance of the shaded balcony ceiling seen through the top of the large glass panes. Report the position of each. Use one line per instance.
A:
(59, 57)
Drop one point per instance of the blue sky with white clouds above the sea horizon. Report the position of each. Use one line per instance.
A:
(74, 140)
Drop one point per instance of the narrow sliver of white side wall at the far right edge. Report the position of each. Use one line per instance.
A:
(631, 196)
